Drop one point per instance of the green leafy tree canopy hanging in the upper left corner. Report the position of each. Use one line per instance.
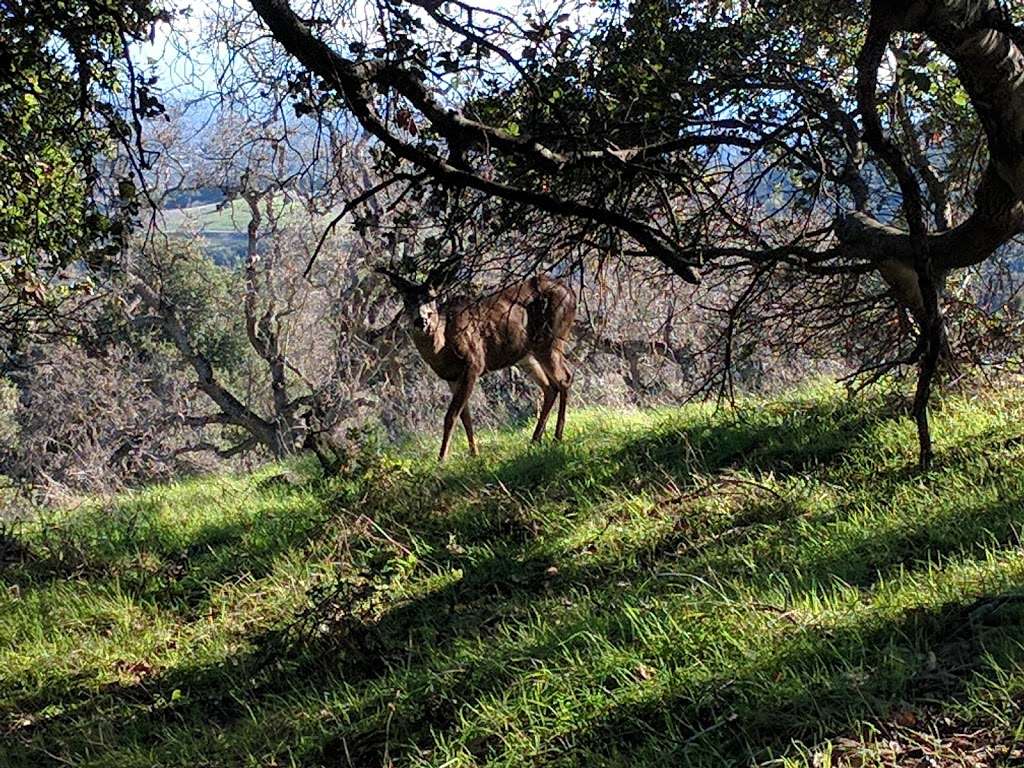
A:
(70, 95)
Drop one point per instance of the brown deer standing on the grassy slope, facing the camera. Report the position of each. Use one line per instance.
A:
(527, 325)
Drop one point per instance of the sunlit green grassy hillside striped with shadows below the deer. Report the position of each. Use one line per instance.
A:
(675, 588)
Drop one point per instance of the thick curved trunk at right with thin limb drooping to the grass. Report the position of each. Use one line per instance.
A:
(977, 37)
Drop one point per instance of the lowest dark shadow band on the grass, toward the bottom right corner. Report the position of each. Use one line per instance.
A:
(858, 676)
